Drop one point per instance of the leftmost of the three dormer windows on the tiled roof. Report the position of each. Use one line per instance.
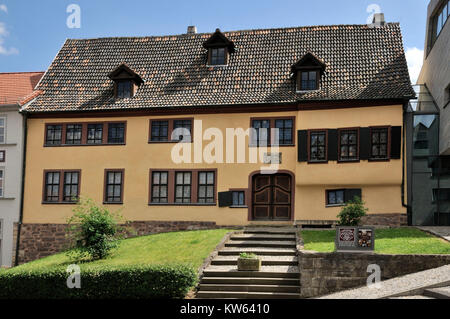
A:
(126, 82)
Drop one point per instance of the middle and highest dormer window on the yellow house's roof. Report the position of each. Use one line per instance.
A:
(219, 49)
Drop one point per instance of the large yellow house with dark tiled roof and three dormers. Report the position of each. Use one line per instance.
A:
(114, 114)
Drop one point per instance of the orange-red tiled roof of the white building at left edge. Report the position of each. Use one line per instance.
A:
(14, 87)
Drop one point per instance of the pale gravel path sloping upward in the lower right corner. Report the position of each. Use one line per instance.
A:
(412, 284)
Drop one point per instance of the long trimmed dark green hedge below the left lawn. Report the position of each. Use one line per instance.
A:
(136, 282)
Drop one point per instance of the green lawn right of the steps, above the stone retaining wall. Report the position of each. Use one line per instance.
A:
(387, 241)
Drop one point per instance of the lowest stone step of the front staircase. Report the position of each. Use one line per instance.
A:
(247, 295)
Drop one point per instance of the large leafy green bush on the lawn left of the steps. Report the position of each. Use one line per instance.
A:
(93, 230)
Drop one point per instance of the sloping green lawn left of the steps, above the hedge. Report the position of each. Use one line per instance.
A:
(188, 247)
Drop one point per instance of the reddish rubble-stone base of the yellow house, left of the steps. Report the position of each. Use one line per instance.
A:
(41, 240)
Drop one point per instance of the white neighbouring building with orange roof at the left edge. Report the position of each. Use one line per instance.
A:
(16, 89)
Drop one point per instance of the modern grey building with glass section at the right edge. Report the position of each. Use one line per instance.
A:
(430, 173)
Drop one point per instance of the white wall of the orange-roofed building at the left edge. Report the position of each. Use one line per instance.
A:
(10, 203)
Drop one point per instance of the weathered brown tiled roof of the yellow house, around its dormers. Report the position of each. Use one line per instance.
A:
(361, 63)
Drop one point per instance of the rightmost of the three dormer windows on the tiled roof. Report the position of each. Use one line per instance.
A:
(308, 72)
